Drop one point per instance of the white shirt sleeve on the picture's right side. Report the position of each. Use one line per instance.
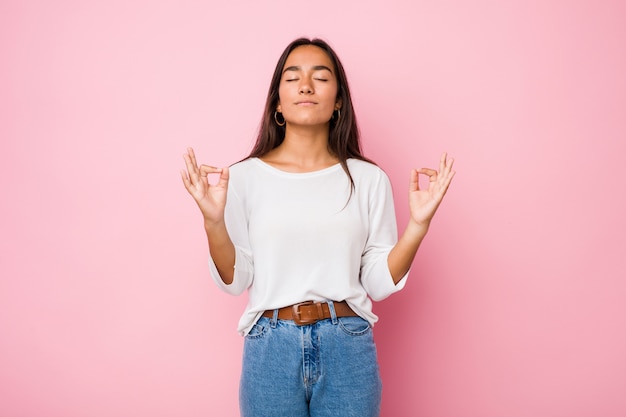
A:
(382, 237)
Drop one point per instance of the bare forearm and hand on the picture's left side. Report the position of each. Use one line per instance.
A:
(211, 200)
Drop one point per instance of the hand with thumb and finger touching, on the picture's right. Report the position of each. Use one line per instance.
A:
(424, 203)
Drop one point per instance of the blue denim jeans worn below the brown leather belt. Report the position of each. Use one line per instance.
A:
(328, 368)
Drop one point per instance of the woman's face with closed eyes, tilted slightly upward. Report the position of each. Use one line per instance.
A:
(308, 87)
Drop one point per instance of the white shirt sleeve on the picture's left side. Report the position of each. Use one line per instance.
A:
(237, 227)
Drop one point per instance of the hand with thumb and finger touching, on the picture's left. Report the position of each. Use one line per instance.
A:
(211, 199)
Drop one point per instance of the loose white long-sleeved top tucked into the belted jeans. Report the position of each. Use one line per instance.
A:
(302, 236)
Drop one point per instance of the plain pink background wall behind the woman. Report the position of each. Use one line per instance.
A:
(516, 303)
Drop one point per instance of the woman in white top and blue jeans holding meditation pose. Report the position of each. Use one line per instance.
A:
(307, 225)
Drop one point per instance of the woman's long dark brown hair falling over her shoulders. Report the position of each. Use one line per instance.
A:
(343, 136)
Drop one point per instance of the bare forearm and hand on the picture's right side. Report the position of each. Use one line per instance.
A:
(422, 204)
